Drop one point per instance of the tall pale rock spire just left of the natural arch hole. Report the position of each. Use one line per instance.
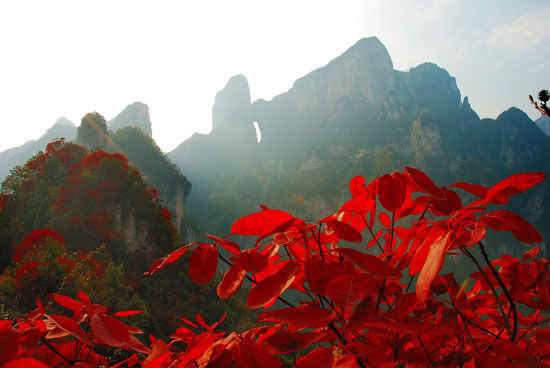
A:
(231, 110)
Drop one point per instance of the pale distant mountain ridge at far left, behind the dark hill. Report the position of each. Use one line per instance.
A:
(63, 128)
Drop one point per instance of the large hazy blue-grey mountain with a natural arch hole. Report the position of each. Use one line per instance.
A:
(356, 115)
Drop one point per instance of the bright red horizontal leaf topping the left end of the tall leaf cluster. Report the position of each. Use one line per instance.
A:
(263, 223)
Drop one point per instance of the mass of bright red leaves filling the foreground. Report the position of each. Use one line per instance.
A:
(357, 304)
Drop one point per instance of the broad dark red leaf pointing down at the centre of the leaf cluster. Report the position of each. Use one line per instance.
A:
(346, 290)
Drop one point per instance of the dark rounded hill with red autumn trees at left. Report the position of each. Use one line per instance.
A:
(90, 222)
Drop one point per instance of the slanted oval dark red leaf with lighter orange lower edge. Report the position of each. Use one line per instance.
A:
(272, 286)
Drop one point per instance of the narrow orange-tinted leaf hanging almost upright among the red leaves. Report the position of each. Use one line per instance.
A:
(434, 262)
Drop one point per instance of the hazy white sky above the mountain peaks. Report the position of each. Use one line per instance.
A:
(67, 58)
